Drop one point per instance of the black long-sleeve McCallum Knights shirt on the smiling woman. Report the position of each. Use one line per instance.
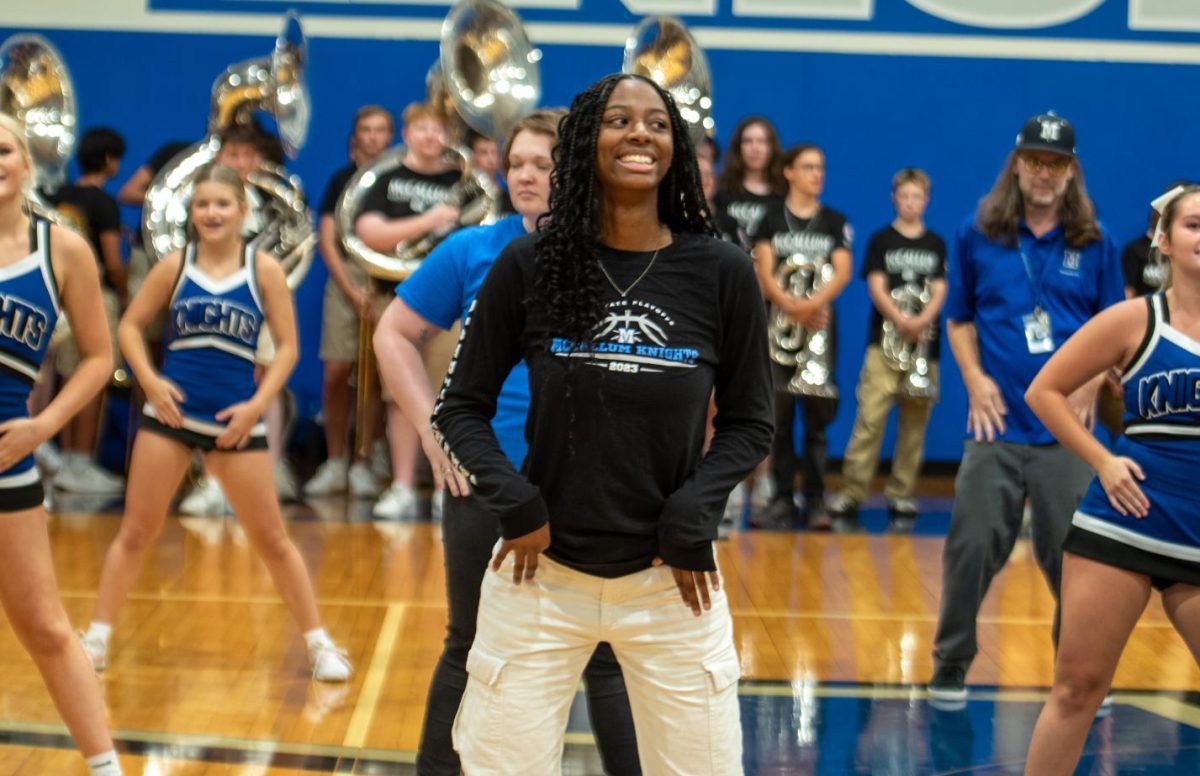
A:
(616, 429)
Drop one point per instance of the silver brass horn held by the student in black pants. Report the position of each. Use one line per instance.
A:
(794, 346)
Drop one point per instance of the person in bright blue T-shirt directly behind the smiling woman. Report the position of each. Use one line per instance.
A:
(439, 294)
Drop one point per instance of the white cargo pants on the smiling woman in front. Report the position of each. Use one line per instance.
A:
(531, 647)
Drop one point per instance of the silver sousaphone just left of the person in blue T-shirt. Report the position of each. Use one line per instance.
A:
(488, 76)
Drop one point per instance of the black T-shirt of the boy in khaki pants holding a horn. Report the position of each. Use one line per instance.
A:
(904, 261)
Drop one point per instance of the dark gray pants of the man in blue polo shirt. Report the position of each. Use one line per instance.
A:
(989, 500)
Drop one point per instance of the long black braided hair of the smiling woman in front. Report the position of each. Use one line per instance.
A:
(569, 282)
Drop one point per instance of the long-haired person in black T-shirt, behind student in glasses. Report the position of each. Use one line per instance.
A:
(753, 178)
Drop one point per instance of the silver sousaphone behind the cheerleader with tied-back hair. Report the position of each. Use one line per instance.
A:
(274, 83)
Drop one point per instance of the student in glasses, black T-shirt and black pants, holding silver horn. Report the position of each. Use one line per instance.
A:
(801, 226)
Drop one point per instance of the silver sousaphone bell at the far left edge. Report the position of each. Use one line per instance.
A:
(37, 91)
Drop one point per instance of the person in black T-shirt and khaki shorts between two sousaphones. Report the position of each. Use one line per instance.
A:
(346, 297)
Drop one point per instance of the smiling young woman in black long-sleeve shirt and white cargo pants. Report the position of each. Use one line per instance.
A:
(629, 314)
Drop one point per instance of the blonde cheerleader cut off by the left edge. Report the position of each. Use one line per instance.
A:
(45, 270)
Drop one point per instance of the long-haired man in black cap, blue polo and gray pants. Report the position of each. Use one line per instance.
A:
(1029, 270)
